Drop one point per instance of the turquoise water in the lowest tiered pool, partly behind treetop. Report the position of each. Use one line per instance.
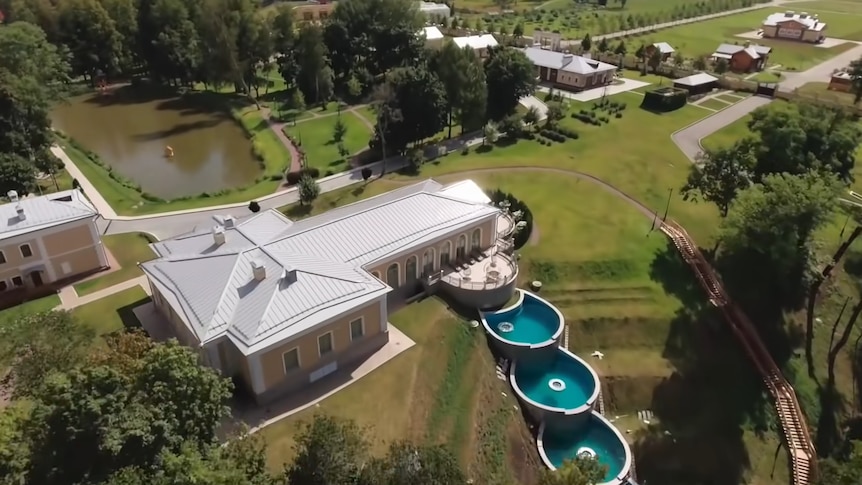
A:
(596, 435)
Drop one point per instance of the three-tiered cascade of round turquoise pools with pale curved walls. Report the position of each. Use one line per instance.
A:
(569, 424)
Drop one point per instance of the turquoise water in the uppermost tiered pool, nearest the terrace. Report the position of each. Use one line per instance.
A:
(533, 322)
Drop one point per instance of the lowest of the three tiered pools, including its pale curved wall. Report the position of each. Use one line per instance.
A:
(597, 434)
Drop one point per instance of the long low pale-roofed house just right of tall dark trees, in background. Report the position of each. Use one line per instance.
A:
(568, 71)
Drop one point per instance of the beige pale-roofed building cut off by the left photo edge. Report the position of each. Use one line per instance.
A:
(45, 240)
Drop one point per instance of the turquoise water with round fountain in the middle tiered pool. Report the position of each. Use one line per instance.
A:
(565, 382)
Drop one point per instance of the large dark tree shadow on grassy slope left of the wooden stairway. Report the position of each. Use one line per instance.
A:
(713, 396)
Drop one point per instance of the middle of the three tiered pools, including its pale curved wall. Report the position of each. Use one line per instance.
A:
(567, 406)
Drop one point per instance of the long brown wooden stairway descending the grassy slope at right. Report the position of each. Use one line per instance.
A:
(803, 456)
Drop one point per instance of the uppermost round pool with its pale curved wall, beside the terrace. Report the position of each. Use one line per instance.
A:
(536, 325)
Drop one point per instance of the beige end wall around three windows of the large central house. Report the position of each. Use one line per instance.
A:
(309, 359)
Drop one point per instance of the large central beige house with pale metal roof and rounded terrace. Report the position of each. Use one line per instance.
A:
(280, 304)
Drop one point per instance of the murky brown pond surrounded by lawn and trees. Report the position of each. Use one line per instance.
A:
(130, 129)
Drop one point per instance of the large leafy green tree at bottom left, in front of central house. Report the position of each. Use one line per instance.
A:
(91, 422)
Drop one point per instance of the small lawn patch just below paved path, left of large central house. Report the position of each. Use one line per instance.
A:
(112, 313)
